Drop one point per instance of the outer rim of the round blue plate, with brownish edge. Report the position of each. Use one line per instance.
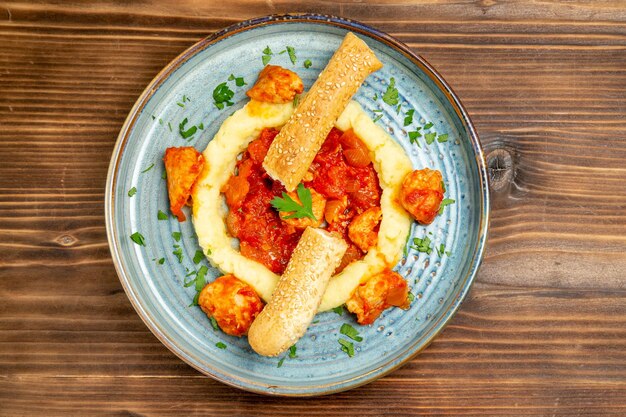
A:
(359, 28)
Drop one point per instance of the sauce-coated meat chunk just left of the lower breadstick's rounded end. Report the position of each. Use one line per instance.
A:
(232, 303)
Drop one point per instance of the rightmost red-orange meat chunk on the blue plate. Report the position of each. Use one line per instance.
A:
(421, 194)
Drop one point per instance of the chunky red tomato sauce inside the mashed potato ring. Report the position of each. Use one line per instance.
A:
(341, 172)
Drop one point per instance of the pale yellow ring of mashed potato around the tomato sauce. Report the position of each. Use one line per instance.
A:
(209, 208)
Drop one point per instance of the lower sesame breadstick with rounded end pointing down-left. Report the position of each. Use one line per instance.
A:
(298, 293)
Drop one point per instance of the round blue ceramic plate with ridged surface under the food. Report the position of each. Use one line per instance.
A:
(439, 280)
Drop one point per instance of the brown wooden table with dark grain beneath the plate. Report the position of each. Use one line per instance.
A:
(543, 331)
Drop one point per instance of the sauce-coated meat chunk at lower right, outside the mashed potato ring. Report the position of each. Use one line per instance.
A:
(378, 293)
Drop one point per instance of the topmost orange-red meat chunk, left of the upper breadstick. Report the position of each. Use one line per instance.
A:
(276, 85)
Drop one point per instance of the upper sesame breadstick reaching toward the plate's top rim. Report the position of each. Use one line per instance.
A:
(295, 147)
